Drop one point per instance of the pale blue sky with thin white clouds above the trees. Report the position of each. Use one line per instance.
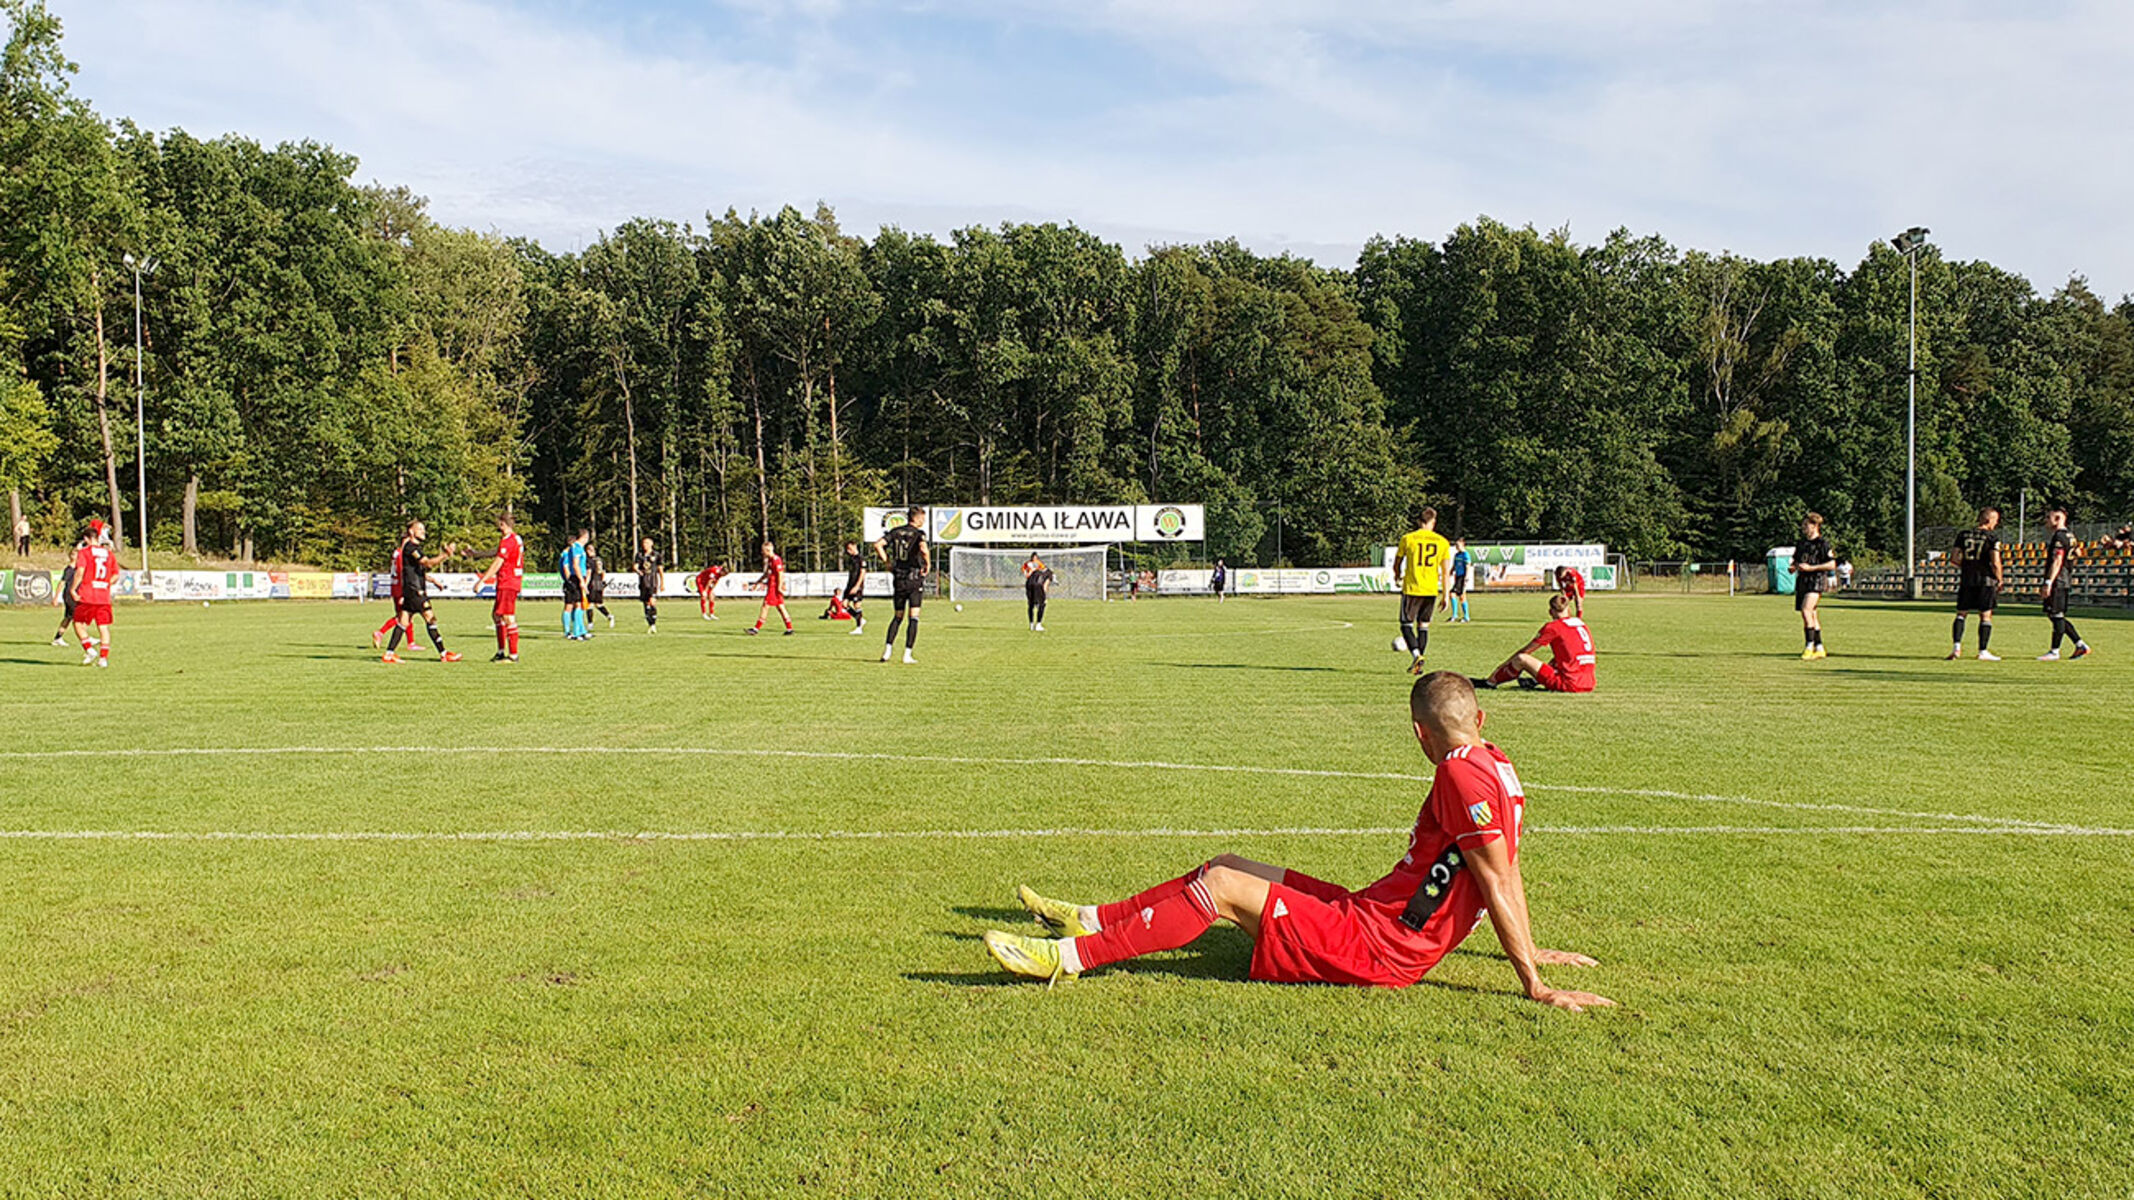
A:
(1768, 129)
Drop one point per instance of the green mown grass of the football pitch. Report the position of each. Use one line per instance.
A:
(1804, 1013)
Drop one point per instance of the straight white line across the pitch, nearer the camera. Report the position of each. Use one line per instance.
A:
(996, 834)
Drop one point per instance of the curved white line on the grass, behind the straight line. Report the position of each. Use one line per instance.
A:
(985, 761)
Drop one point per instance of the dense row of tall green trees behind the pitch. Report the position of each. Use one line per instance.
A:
(321, 362)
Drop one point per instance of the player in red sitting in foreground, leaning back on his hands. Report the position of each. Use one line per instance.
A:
(1463, 862)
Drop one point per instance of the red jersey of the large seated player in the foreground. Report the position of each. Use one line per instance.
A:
(1474, 802)
